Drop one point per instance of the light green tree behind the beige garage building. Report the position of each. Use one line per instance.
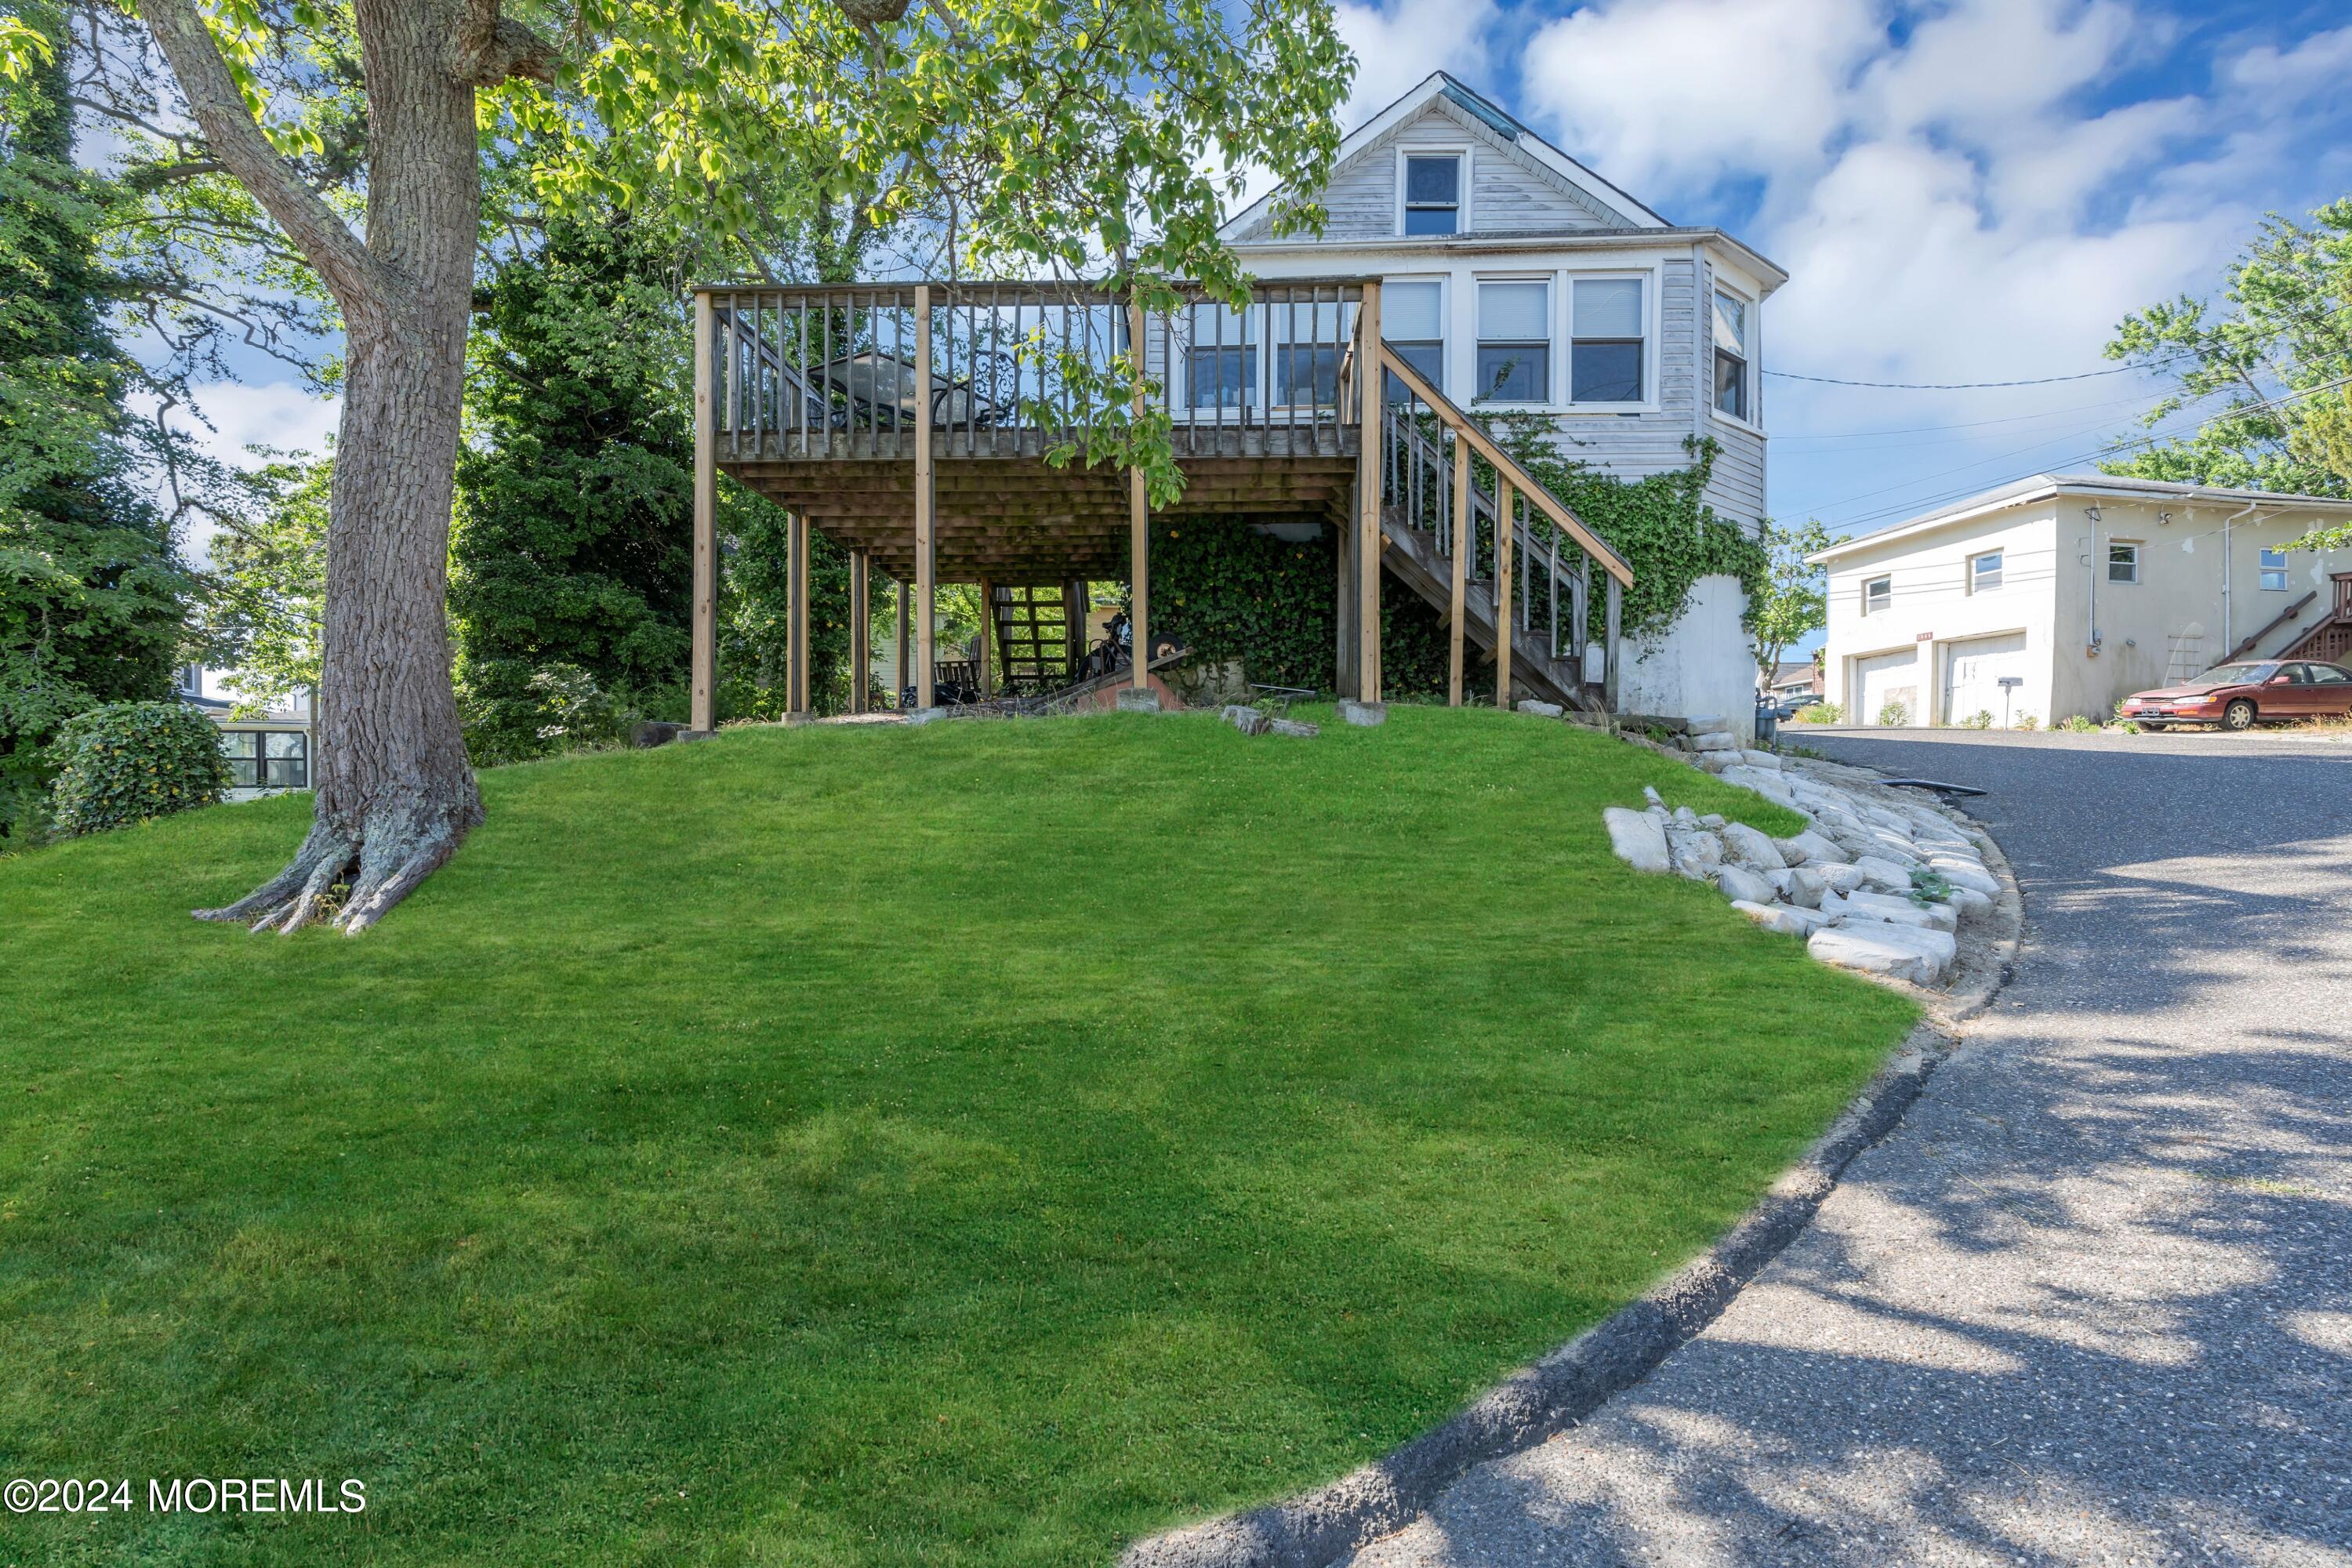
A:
(2278, 354)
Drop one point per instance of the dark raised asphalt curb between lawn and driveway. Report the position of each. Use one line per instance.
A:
(1549, 1398)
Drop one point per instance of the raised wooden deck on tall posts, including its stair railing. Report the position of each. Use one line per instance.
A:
(911, 424)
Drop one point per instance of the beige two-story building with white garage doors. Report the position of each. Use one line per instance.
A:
(2064, 594)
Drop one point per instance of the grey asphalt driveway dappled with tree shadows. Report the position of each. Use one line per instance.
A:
(2092, 1304)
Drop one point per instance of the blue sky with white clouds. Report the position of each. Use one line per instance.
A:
(1963, 192)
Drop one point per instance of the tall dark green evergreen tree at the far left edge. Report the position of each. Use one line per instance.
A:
(93, 598)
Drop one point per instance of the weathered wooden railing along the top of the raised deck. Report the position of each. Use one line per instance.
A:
(1017, 368)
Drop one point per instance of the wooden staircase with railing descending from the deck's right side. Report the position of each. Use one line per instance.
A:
(1445, 495)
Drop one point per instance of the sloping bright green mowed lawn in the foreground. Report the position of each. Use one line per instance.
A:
(973, 1146)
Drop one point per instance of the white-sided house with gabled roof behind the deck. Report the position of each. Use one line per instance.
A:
(1521, 281)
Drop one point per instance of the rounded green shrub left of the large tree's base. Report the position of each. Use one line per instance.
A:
(126, 763)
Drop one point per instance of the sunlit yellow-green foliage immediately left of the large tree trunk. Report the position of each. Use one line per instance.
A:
(265, 594)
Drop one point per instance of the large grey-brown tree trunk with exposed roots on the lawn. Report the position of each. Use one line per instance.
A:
(396, 793)
